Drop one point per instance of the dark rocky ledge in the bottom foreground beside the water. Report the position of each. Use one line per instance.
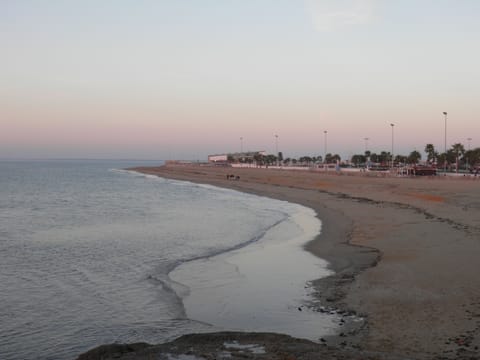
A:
(232, 345)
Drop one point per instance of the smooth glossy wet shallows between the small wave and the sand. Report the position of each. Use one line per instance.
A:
(250, 288)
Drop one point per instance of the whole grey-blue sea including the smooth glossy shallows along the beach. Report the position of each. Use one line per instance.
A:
(92, 253)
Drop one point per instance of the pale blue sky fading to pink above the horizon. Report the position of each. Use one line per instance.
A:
(181, 79)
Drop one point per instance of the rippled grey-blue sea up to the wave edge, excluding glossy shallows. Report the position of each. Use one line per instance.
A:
(86, 249)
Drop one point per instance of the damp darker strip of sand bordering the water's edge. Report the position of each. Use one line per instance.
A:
(332, 244)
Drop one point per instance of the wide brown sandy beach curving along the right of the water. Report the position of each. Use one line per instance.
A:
(405, 252)
